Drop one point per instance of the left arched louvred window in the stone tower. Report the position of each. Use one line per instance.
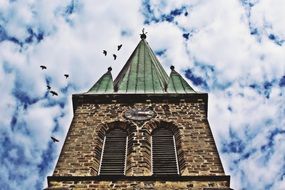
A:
(113, 157)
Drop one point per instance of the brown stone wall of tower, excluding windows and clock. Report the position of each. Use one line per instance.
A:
(197, 153)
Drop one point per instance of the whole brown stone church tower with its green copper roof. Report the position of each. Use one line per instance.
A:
(144, 130)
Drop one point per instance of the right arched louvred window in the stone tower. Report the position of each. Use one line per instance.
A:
(164, 156)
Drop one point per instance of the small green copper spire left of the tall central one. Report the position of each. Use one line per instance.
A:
(104, 85)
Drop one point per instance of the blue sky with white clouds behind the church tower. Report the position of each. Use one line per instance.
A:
(232, 49)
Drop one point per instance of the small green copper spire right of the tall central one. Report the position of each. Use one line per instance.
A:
(177, 84)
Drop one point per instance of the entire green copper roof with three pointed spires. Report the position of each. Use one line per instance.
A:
(142, 74)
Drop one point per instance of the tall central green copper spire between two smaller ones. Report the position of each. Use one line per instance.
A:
(142, 73)
